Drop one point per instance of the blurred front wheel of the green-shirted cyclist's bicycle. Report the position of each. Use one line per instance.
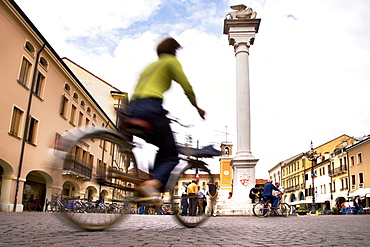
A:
(187, 174)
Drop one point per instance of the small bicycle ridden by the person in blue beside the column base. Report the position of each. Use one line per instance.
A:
(264, 209)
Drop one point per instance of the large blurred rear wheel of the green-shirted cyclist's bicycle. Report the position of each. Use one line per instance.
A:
(104, 147)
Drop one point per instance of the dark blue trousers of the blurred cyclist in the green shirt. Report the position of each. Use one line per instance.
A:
(151, 110)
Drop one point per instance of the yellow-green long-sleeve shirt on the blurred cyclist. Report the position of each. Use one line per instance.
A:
(156, 79)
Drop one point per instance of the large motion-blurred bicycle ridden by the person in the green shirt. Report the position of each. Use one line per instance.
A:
(123, 174)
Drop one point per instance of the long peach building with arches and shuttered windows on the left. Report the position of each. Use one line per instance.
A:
(41, 100)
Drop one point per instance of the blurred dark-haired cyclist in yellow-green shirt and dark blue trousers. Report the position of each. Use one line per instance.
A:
(146, 104)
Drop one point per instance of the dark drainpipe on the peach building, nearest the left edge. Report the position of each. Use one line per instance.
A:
(25, 130)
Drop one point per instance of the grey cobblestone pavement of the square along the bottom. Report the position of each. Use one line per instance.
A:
(44, 229)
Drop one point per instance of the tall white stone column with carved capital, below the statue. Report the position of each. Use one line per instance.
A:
(241, 34)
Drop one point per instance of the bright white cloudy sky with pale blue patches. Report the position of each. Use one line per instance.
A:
(309, 65)
